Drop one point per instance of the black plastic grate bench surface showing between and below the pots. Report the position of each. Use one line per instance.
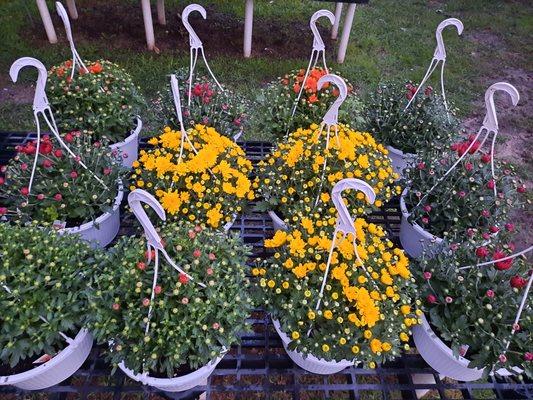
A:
(259, 368)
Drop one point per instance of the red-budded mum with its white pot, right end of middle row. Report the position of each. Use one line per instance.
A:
(436, 209)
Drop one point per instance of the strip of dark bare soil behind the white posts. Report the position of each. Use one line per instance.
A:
(222, 34)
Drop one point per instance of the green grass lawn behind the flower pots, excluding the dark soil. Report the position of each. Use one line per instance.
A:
(390, 40)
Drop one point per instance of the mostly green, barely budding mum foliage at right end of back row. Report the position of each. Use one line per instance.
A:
(425, 124)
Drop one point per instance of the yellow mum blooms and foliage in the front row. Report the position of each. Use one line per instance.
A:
(368, 305)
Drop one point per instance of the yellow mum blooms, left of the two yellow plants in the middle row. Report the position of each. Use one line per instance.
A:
(208, 184)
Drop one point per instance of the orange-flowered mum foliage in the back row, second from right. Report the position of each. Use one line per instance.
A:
(274, 104)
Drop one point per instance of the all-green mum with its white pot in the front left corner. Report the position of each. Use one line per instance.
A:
(43, 277)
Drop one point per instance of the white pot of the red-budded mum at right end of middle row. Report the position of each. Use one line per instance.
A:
(413, 237)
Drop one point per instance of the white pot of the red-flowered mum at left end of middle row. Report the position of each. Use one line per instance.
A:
(103, 229)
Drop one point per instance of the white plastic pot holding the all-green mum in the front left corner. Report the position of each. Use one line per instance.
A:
(59, 368)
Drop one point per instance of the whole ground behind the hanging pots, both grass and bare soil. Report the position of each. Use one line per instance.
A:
(390, 39)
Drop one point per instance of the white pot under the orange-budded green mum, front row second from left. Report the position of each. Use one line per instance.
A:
(178, 384)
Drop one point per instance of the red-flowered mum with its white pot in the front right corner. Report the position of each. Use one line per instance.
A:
(469, 327)
